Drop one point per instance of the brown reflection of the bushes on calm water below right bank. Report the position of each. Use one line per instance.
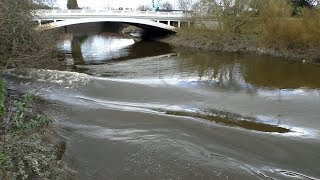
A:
(239, 71)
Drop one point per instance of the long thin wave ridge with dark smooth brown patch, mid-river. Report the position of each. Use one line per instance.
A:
(217, 116)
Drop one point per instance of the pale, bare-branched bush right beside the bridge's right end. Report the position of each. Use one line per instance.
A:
(233, 18)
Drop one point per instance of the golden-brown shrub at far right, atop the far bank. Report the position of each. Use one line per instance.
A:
(280, 29)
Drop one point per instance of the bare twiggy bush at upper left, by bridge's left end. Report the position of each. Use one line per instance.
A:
(20, 44)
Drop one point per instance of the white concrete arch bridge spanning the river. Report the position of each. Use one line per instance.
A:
(165, 21)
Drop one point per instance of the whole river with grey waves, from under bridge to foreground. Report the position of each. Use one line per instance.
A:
(146, 110)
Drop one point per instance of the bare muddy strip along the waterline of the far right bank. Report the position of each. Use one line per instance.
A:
(302, 54)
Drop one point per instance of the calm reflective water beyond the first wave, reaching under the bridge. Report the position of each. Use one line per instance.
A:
(235, 72)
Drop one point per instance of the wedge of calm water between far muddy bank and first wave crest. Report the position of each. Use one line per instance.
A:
(267, 76)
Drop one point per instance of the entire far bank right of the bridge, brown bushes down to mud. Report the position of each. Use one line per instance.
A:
(266, 27)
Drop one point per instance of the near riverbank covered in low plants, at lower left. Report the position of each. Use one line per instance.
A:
(30, 146)
